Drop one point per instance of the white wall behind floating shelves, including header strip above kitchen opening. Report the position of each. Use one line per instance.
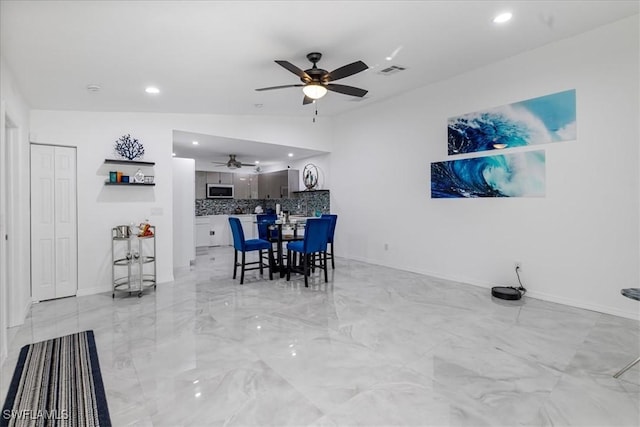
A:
(102, 207)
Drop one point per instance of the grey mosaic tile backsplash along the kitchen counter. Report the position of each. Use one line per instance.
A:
(303, 203)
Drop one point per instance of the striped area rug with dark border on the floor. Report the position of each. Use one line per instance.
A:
(57, 383)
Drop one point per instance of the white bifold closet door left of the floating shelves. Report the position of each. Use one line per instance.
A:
(53, 222)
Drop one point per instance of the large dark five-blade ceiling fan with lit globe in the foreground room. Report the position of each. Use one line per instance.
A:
(317, 81)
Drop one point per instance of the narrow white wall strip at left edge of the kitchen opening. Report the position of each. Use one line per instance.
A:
(184, 227)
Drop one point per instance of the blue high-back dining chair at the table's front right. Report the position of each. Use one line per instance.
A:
(315, 240)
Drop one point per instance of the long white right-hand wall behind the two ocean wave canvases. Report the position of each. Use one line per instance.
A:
(579, 245)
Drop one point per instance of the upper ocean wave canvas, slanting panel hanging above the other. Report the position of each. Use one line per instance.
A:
(541, 120)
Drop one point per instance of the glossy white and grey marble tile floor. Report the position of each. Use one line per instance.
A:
(373, 347)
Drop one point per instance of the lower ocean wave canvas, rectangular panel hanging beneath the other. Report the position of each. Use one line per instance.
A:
(506, 175)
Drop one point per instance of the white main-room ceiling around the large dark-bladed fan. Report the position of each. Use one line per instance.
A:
(210, 56)
